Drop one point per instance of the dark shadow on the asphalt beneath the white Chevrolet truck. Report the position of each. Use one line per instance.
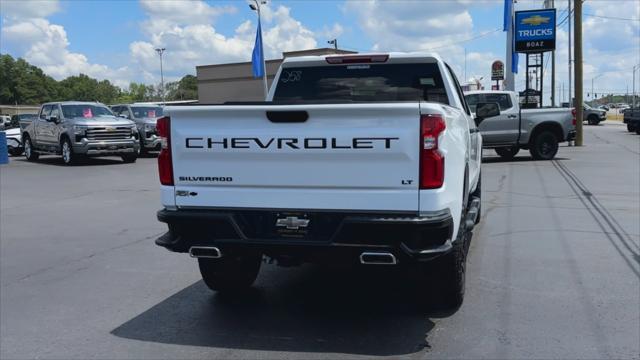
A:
(367, 312)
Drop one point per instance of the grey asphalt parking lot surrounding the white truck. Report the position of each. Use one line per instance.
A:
(553, 272)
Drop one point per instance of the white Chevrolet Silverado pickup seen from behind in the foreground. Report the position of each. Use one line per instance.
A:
(359, 159)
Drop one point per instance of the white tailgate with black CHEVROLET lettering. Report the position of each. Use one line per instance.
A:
(347, 156)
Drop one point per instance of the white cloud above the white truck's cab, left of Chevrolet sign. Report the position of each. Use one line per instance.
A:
(443, 27)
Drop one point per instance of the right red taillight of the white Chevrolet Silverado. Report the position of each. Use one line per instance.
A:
(431, 160)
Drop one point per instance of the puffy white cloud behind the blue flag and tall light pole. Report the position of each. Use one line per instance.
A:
(190, 43)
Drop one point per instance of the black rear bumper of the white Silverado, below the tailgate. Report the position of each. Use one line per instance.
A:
(331, 237)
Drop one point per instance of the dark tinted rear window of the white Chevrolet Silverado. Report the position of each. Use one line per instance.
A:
(362, 83)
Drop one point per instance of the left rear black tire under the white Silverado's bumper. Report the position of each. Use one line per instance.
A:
(231, 273)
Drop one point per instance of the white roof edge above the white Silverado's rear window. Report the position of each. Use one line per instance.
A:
(394, 57)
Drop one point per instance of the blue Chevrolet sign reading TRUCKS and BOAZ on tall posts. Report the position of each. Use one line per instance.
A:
(535, 30)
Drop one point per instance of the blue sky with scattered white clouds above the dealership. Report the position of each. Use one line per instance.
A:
(115, 39)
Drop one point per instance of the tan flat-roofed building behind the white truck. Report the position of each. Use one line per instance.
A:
(235, 82)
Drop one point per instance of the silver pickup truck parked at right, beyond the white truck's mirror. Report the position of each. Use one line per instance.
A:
(537, 130)
